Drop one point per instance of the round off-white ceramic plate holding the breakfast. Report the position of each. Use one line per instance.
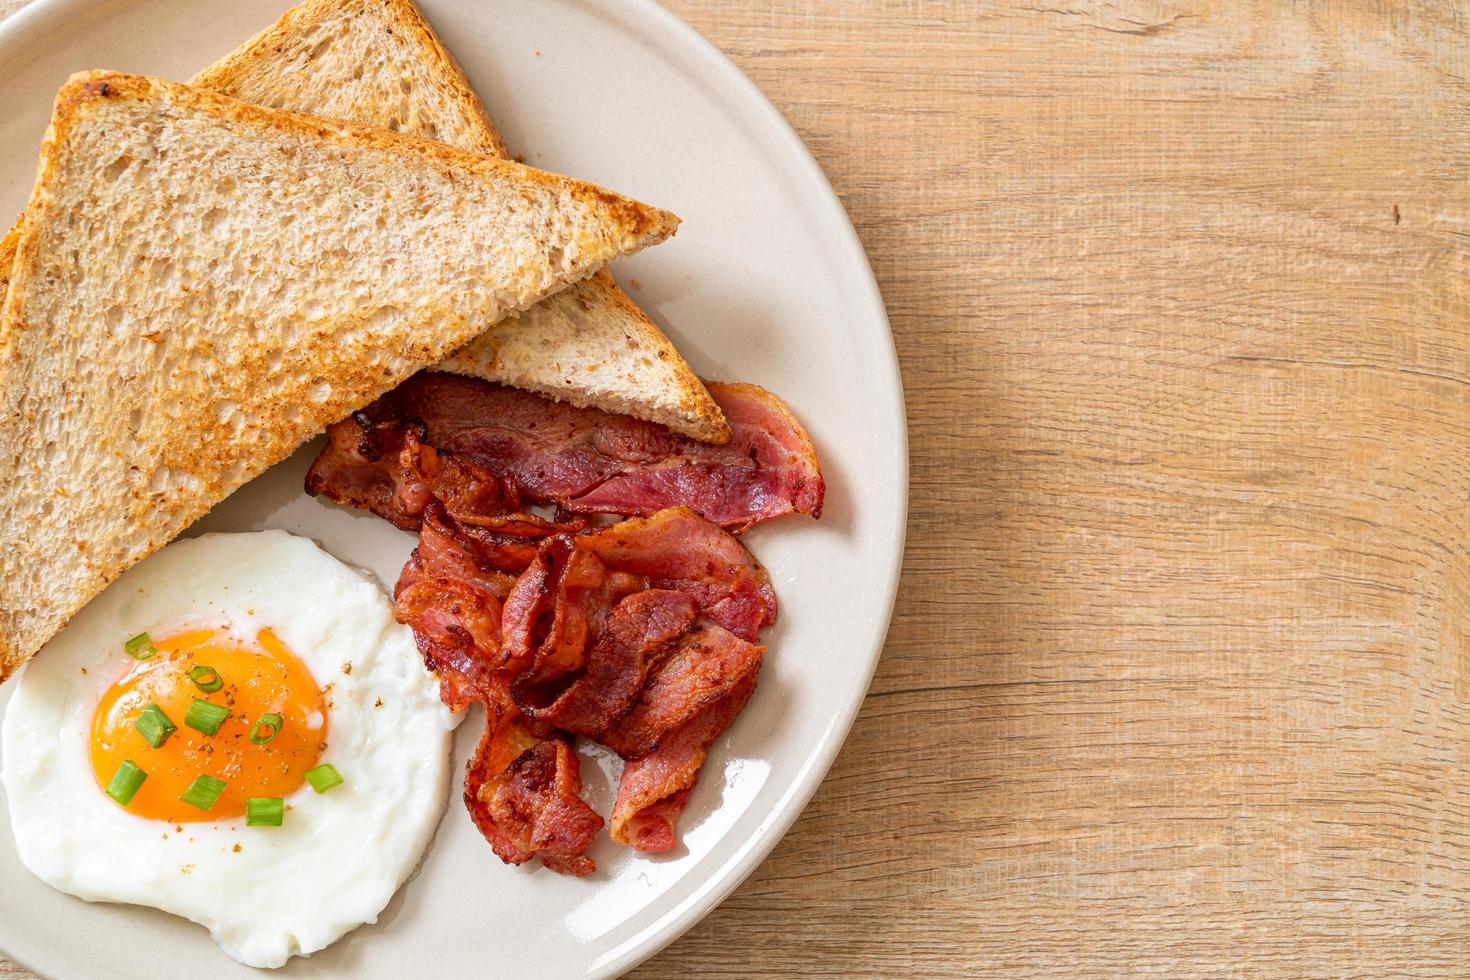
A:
(765, 283)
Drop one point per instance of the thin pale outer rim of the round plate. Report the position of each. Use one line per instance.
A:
(36, 17)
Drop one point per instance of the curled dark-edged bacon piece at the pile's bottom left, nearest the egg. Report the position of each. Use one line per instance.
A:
(523, 790)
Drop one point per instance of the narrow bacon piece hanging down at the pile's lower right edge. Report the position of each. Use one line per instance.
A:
(655, 788)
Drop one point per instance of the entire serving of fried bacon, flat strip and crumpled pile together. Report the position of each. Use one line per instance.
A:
(640, 635)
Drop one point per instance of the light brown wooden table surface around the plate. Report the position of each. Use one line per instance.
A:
(1180, 677)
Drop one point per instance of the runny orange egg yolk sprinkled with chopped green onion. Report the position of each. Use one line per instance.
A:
(258, 680)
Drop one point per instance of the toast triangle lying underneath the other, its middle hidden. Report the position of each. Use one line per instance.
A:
(377, 62)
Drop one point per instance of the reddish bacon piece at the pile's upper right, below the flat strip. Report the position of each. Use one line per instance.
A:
(680, 550)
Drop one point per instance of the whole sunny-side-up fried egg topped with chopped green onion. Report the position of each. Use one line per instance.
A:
(223, 687)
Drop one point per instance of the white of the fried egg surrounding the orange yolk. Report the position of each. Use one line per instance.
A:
(340, 856)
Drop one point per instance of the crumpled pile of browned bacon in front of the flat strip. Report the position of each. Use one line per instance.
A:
(593, 638)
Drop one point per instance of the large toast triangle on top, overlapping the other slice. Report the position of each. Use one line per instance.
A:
(204, 284)
